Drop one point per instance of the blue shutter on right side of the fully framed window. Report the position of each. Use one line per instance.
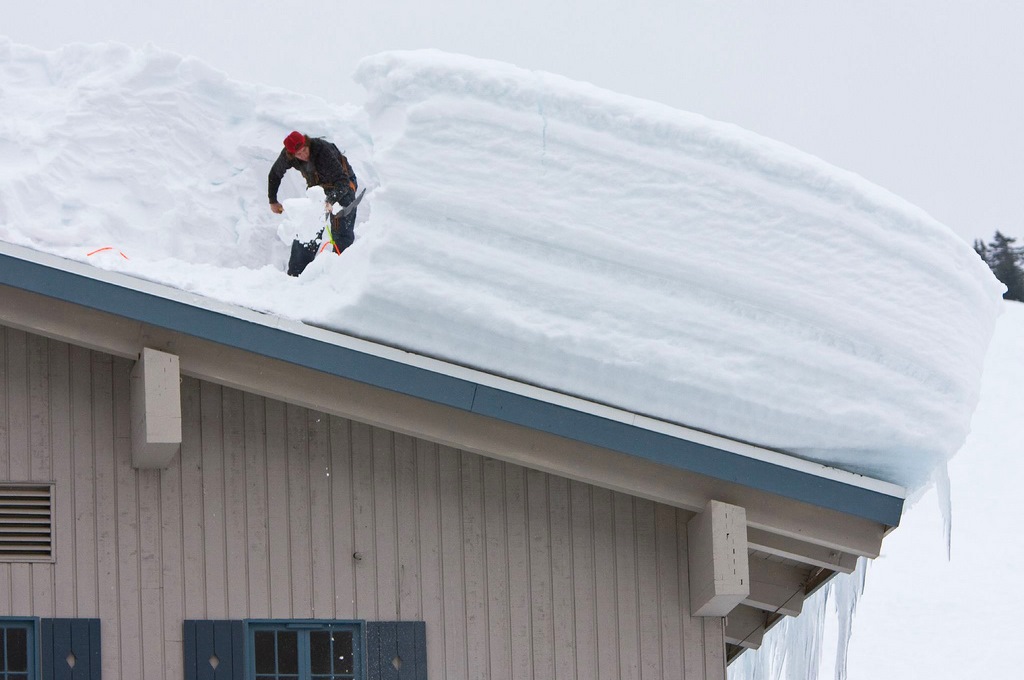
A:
(392, 641)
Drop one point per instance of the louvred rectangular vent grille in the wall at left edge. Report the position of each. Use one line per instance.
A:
(26, 523)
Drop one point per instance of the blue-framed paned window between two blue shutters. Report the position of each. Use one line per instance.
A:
(305, 651)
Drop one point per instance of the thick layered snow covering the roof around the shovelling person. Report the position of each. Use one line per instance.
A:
(530, 227)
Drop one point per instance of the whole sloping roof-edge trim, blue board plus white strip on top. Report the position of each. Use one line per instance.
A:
(460, 388)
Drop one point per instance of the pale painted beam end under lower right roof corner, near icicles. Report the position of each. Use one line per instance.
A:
(718, 561)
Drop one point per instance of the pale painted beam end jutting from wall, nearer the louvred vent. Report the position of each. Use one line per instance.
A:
(156, 410)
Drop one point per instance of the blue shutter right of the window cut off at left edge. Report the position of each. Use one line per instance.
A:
(70, 649)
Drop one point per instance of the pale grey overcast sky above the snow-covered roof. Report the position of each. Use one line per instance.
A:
(924, 98)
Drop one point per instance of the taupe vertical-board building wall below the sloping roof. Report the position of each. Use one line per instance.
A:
(276, 512)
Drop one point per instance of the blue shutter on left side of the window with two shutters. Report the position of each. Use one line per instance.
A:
(215, 651)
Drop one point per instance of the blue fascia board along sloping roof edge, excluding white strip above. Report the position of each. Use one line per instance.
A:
(450, 391)
